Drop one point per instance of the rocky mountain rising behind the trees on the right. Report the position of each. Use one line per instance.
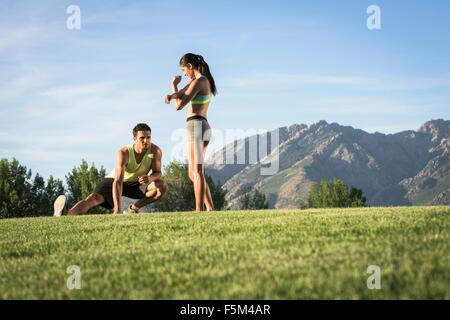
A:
(406, 168)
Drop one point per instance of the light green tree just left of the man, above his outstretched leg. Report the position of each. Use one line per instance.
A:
(82, 181)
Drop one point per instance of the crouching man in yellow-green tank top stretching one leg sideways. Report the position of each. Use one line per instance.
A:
(129, 178)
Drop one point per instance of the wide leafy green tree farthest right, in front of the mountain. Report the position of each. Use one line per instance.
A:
(335, 194)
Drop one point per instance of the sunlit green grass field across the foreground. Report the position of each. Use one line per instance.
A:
(272, 254)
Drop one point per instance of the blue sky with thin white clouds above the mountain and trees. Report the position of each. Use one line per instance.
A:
(72, 94)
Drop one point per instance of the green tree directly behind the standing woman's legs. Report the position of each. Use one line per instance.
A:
(181, 190)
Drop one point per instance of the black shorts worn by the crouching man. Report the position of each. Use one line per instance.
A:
(133, 190)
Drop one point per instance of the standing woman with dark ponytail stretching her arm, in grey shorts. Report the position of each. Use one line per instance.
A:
(198, 93)
